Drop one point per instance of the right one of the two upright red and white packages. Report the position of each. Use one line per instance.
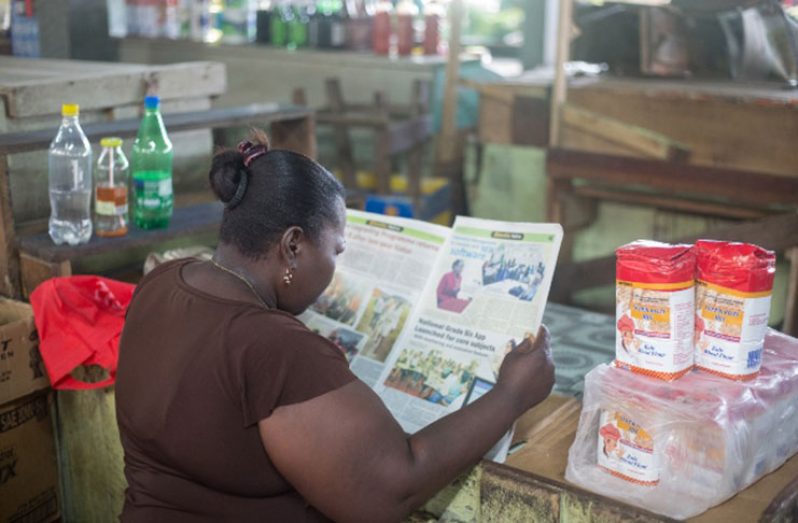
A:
(733, 292)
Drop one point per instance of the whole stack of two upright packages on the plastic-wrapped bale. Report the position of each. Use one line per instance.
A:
(656, 433)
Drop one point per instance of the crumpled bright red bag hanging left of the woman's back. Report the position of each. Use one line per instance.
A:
(80, 319)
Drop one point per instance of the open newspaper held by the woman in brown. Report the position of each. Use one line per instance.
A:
(425, 314)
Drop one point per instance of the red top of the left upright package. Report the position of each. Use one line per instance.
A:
(655, 262)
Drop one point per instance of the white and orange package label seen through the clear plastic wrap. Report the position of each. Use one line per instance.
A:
(626, 450)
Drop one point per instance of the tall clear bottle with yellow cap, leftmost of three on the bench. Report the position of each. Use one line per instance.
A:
(70, 180)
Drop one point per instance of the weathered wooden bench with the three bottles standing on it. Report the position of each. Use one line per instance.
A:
(28, 258)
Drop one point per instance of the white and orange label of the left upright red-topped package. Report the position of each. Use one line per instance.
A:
(654, 332)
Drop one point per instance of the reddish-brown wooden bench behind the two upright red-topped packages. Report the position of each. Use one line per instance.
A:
(766, 204)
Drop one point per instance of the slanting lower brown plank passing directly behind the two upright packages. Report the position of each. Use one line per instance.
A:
(777, 233)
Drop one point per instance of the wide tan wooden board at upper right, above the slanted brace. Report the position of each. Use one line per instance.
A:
(746, 130)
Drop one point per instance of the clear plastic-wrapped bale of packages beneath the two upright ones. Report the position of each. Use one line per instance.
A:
(678, 448)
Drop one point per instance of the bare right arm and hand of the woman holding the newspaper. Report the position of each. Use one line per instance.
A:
(344, 452)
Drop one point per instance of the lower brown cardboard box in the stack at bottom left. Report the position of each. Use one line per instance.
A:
(28, 468)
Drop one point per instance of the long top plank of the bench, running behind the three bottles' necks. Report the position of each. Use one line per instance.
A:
(241, 116)
